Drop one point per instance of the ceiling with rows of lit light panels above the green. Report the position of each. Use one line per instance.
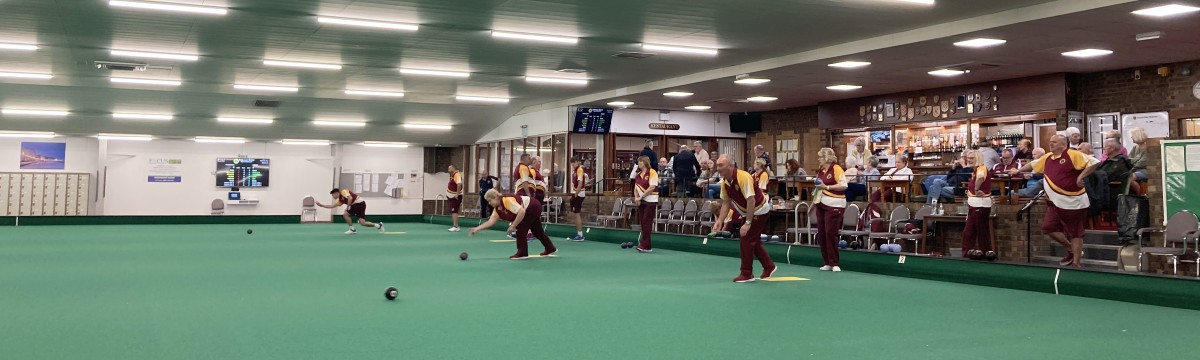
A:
(333, 70)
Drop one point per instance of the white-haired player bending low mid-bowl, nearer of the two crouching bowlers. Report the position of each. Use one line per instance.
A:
(525, 214)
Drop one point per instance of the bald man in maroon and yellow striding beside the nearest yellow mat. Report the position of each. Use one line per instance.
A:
(741, 193)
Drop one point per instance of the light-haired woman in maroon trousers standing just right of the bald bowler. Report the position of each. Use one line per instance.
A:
(832, 183)
